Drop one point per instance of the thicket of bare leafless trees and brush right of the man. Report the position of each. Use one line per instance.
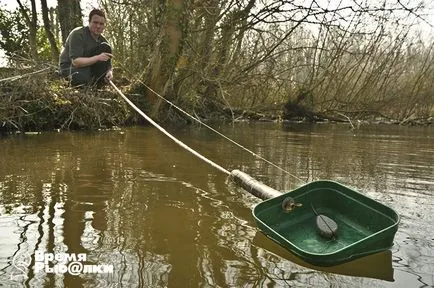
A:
(329, 56)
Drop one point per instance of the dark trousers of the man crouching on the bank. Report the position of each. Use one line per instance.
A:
(93, 74)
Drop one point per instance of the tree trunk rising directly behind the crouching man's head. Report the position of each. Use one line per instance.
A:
(69, 13)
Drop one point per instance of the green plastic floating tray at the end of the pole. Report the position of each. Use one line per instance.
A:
(365, 226)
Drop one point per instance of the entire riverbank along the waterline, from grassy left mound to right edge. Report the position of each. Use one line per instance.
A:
(44, 101)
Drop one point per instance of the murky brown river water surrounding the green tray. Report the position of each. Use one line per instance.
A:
(135, 200)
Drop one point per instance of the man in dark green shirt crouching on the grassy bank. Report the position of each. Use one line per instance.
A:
(86, 55)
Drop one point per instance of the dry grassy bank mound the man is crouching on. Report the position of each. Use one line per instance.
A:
(45, 101)
